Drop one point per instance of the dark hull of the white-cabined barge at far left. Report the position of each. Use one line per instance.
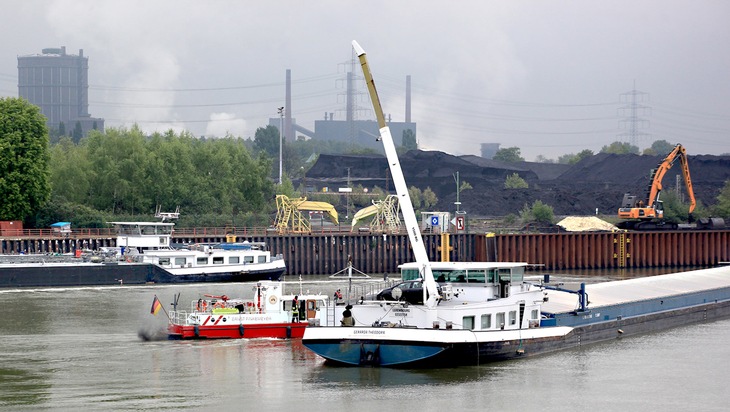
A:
(103, 274)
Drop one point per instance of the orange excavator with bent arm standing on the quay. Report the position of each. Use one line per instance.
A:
(648, 214)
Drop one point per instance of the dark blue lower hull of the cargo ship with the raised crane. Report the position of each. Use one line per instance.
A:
(443, 353)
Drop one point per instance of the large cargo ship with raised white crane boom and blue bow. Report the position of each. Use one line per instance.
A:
(471, 313)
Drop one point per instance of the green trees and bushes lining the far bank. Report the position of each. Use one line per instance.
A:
(123, 174)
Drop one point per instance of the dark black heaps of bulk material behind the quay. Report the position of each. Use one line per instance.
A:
(597, 182)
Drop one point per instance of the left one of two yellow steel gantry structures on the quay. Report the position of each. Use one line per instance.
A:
(289, 216)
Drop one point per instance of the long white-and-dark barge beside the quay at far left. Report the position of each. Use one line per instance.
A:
(145, 254)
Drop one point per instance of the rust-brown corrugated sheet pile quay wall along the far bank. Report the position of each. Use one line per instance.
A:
(377, 253)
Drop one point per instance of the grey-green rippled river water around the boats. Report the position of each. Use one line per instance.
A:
(79, 349)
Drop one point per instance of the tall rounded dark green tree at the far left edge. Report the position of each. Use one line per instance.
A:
(24, 157)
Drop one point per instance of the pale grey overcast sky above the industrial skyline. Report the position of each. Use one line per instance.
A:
(550, 77)
